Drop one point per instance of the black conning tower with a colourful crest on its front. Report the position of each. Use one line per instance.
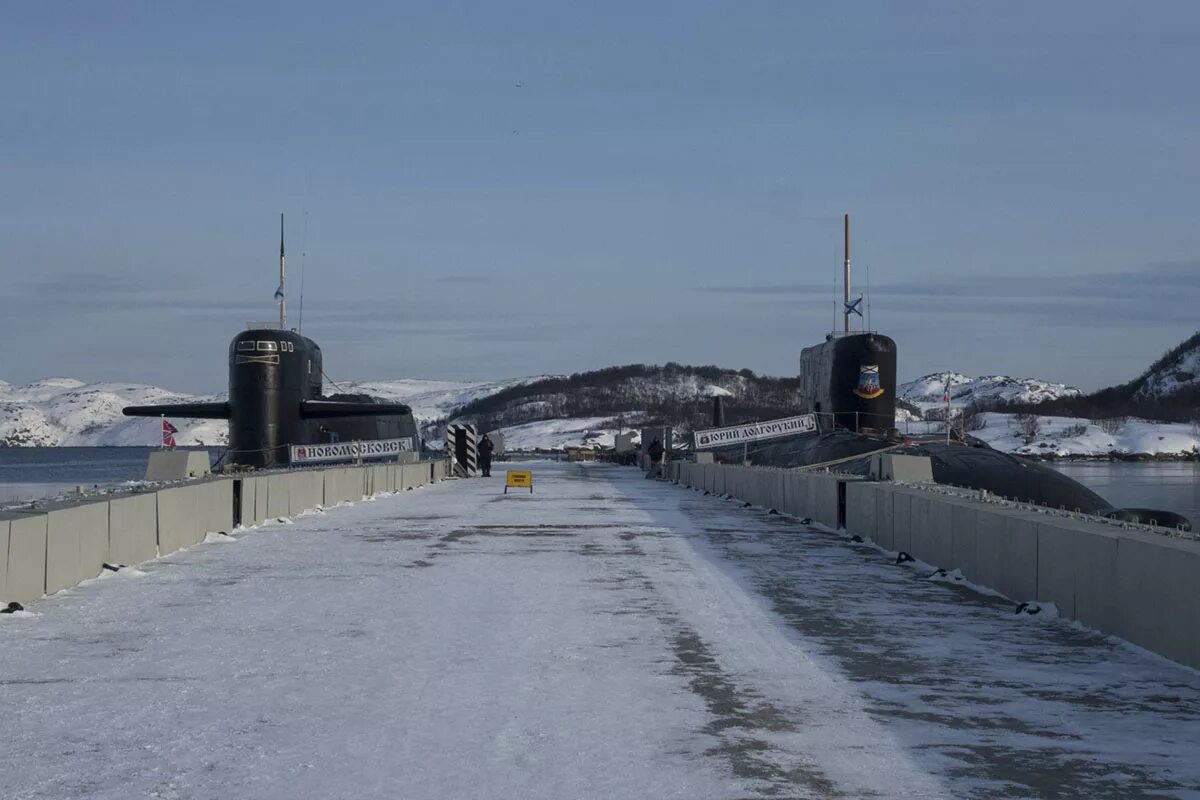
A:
(850, 382)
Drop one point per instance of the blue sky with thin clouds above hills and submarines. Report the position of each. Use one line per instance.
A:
(497, 190)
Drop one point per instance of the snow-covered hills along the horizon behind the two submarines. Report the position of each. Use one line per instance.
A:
(590, 407)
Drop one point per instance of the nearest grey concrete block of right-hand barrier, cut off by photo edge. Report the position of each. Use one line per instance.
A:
(1160, 596)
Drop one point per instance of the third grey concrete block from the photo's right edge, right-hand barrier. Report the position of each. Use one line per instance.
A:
(1007, 552)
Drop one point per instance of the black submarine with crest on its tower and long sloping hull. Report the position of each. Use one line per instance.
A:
(849, 384)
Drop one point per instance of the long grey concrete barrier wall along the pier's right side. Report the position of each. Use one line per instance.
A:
(1139, 586)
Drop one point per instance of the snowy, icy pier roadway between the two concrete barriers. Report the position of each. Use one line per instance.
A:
(608, 637)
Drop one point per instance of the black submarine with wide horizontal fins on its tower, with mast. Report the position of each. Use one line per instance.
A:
(277, 398)
